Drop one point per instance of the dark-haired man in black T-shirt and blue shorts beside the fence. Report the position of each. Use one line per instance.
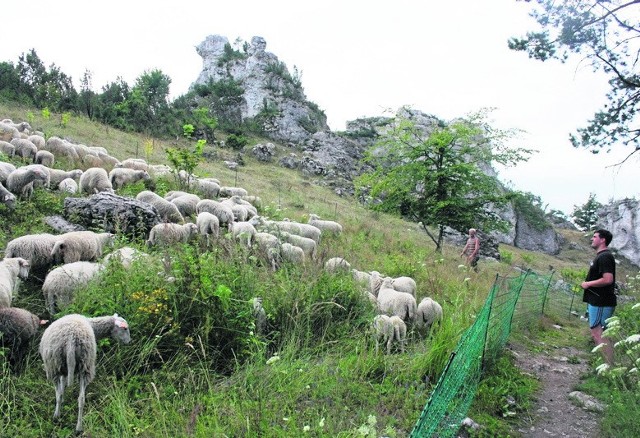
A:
(599, 293)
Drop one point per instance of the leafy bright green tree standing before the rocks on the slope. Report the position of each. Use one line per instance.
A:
(437, 173)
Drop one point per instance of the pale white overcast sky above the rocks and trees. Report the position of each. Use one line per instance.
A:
(356, 59)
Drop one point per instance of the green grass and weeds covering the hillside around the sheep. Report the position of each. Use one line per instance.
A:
(196, 368)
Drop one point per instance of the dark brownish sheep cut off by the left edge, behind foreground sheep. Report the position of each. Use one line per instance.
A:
(17, 328)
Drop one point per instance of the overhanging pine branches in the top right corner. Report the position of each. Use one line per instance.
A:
(606, 34)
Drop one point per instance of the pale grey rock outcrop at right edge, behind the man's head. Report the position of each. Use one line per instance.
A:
(622, 218)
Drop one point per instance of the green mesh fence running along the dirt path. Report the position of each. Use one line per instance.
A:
(511, 301)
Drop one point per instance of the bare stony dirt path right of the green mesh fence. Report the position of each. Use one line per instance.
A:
(555, 414)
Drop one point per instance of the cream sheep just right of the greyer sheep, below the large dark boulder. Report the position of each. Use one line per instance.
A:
(77, 246)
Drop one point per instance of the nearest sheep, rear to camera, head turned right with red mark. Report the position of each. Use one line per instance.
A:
(68, 348)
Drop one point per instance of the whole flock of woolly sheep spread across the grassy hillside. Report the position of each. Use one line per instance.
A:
(71, 260)
